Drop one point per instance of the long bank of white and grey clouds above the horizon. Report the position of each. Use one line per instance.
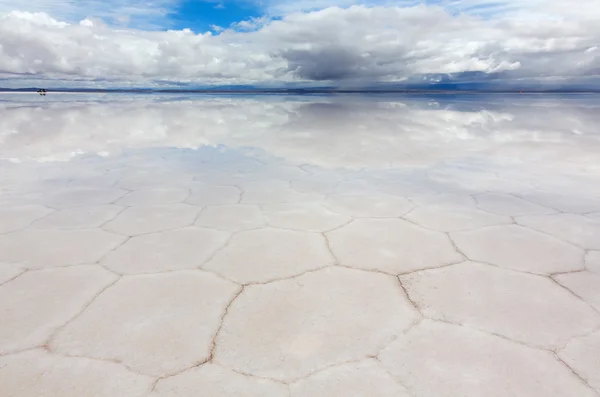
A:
(354, 45)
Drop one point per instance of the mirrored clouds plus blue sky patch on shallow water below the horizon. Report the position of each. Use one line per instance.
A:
(409, 145)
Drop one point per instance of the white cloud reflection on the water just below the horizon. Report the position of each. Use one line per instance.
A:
(371, 133)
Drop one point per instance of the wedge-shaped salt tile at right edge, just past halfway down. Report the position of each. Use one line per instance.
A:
(575, 229)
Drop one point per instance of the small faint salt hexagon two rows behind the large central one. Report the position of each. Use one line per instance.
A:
(369, 206)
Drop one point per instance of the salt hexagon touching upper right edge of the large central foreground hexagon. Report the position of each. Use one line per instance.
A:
(391, 245)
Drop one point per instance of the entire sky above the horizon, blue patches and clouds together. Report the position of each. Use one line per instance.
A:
(273, 43)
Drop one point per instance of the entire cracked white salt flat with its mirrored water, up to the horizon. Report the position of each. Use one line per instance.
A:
(299, 246)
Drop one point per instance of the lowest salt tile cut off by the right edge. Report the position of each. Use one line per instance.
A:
(583, 355)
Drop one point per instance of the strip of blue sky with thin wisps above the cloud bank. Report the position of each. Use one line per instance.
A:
(202, 15)
